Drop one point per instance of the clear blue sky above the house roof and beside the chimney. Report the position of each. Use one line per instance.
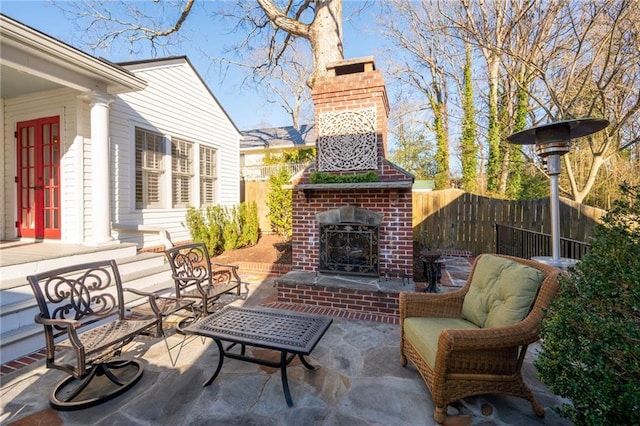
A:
(203, 36)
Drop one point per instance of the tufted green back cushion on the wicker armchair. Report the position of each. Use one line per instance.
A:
(501, 293)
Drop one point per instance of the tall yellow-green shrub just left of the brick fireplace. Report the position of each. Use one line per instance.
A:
(280, 204)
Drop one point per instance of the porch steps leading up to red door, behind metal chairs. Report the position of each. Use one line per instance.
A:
(20, 335)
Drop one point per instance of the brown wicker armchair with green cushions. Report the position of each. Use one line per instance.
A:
(460, 358)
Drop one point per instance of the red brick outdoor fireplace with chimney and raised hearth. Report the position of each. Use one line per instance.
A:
(351, 237)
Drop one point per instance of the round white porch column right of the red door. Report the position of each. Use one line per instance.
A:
(100, 179)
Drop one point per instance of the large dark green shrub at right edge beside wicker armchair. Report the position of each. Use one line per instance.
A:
(591, 336)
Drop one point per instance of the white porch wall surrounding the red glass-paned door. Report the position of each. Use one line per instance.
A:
(62, 103)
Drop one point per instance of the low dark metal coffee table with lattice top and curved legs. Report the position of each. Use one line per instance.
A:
(291, 333)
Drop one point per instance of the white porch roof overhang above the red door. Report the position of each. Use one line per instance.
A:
(32, 61)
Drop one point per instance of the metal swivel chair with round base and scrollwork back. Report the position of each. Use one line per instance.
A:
(82, 309)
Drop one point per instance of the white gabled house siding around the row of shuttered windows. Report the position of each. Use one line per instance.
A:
(175, 104)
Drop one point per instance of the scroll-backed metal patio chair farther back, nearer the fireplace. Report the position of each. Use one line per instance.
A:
(199, 279)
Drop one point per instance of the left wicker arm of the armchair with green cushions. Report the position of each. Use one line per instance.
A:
(442, 305)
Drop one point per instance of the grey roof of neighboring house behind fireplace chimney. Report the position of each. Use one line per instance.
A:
(278, 138)
